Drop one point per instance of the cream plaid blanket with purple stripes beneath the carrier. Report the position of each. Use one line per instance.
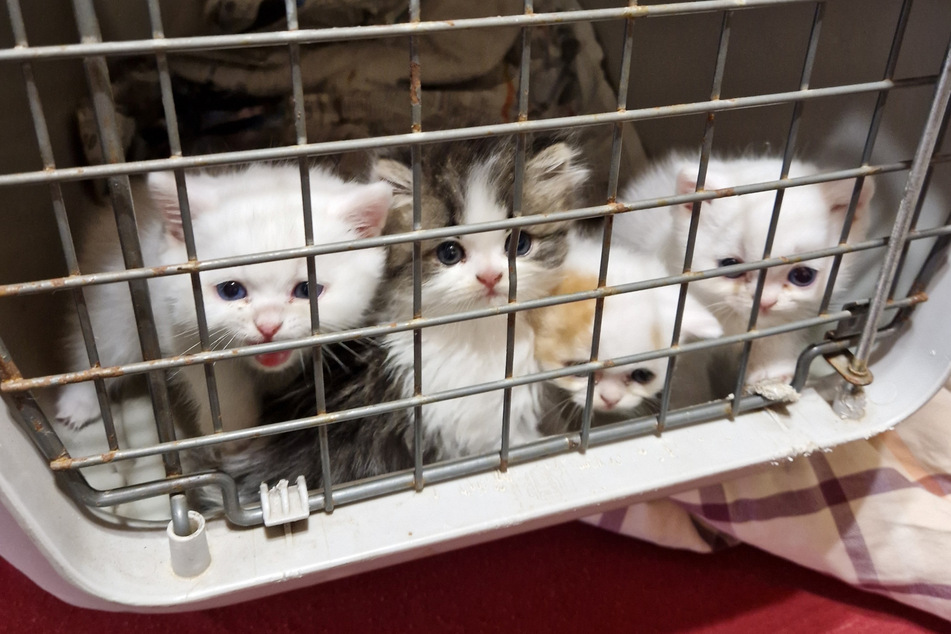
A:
(875, 513)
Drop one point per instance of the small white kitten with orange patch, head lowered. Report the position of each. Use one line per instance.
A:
(631, 323)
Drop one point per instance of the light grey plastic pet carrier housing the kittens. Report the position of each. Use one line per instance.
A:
(98, 92)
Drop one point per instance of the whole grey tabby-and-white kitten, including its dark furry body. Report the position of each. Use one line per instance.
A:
(462, 184)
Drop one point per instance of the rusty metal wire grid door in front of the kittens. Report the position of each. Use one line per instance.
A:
(93, 53)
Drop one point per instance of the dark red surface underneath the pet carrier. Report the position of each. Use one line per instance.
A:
(569, 578)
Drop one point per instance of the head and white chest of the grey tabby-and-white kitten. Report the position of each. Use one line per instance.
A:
(465, 184)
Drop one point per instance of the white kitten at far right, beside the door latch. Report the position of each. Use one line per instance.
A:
(733, 230)
